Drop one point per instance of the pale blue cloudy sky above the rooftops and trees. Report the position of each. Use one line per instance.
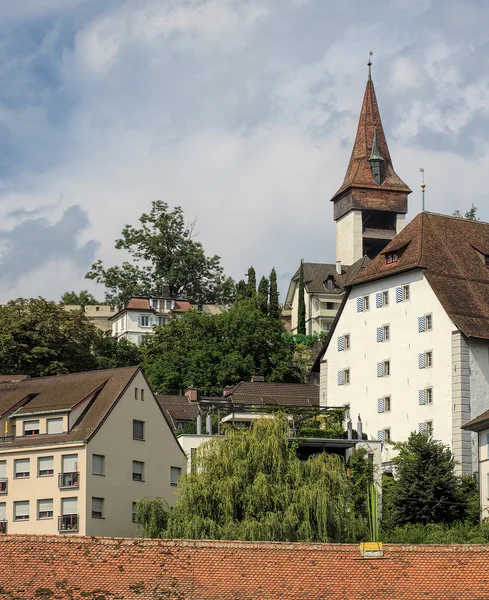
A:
(243, 112)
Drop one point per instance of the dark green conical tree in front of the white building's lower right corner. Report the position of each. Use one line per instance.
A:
(426, 489)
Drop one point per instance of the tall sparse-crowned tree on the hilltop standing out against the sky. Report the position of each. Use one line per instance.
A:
(164, 252)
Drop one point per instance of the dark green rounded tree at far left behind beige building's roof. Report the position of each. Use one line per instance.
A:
(39, 337)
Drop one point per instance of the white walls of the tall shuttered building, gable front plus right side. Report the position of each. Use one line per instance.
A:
(396, 385)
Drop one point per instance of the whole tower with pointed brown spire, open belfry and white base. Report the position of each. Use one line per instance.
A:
(371, 205)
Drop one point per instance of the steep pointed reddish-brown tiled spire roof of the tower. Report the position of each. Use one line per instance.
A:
(358, 174)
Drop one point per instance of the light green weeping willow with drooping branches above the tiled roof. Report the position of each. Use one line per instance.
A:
(251, 485)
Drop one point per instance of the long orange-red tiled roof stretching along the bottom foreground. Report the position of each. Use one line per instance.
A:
(76, 568)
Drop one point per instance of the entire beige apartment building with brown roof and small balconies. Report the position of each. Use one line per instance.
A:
(79, 450)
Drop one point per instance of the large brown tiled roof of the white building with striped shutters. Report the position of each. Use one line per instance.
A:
(451, 252)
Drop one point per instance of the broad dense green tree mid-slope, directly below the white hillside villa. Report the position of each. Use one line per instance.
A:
(212, 351)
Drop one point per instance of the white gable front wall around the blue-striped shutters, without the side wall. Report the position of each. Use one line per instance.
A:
(406, 379)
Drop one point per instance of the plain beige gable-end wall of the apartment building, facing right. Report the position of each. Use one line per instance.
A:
(159, 451)
